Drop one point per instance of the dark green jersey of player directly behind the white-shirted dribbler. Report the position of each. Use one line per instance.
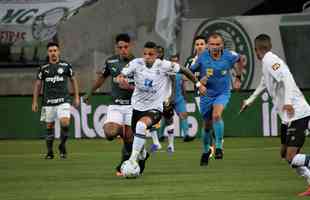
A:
(113, 66)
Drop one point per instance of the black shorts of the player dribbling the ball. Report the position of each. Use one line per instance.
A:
(155, 115)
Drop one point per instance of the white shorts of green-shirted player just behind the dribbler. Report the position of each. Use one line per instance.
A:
(120, 114)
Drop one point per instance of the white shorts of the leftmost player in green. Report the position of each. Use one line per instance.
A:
(51, 113)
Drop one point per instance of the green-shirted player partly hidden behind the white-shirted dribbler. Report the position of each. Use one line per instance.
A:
(119, 113)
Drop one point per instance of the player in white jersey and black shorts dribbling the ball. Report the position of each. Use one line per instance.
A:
(151, 77)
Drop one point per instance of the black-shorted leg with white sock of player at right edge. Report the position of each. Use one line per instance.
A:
(296, 134)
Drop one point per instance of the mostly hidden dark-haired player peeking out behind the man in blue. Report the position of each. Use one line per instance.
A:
(200, 44)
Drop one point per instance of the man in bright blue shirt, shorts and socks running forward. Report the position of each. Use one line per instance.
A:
(214, 68)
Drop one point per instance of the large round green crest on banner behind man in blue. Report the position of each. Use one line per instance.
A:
(236, 39)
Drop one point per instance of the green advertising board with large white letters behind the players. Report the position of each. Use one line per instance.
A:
(18, 122)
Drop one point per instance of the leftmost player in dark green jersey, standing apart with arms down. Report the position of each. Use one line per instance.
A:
(54, 77)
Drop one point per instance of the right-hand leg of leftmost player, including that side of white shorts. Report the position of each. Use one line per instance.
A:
(63, 114)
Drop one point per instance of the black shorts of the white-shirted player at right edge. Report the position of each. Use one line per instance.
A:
(296, 132)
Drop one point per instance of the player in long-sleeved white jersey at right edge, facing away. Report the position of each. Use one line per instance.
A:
(290, 104)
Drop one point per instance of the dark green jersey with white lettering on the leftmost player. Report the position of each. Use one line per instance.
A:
(55, 83)
